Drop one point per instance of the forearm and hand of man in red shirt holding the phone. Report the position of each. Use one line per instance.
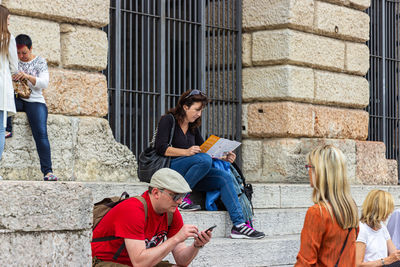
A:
(184, 255)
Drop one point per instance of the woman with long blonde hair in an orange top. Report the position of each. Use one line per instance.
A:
(329, 232)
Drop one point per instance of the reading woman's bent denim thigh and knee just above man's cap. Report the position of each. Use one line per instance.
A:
(192, 168)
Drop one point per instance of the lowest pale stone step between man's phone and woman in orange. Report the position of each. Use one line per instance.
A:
(269, 251)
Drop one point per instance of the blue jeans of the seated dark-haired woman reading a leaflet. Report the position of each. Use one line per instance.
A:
(201, 176)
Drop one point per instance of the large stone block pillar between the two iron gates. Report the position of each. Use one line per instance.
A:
(304, 63)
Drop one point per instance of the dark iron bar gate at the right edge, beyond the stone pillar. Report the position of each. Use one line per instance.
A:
(383, 75)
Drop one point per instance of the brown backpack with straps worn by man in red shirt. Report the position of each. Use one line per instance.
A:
(101, 208)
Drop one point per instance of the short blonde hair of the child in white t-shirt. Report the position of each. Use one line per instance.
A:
(377, 207)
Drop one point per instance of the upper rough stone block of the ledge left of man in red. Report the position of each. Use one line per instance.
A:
(42, 206)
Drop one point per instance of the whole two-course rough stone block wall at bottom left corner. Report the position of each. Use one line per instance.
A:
(38, 227)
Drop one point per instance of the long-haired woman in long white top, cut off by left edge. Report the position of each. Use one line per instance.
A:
(8, 66)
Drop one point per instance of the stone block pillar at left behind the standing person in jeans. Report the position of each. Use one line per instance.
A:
(68, 35)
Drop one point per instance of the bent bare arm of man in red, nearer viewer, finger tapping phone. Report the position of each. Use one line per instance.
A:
(140, 256)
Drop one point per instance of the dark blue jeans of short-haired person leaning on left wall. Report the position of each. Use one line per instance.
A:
(37, 118)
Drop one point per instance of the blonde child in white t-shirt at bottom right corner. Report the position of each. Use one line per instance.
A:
(374, 246)
